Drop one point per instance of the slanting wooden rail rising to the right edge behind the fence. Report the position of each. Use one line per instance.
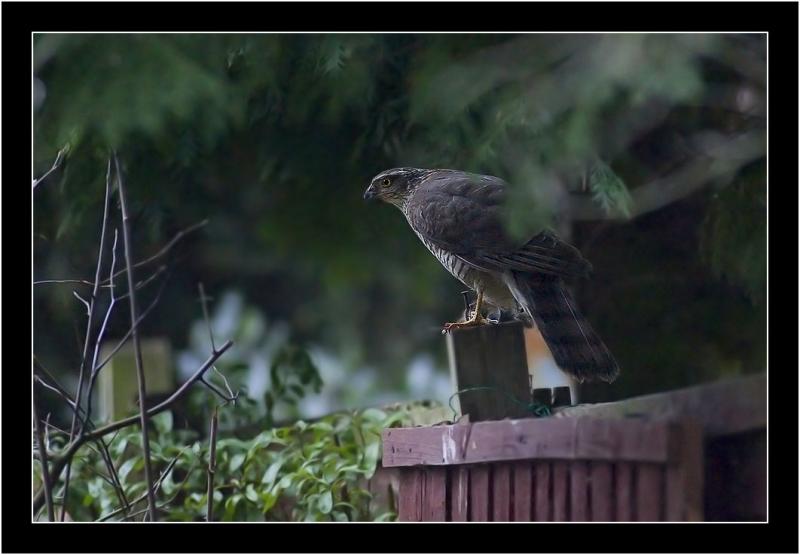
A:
(721, 408)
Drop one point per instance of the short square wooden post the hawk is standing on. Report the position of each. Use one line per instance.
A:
(475, 355)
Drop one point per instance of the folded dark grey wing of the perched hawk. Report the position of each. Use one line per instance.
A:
(462, 214)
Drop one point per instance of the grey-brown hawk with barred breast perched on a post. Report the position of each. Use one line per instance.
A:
(458, 216)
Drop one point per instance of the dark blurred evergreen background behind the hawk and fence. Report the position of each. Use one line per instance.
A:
(647, 152)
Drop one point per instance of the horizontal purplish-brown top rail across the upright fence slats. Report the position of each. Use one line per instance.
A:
(544, 438)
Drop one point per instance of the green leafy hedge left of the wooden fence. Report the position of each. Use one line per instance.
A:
(314, 471)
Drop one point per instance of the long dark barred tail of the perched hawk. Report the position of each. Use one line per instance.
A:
(575, 346)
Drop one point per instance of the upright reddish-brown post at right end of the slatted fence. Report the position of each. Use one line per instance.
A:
(684, 475)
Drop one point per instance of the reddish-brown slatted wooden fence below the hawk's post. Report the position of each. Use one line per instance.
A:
(672, 462)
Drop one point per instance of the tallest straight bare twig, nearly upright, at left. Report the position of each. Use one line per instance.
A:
(137, 351)
